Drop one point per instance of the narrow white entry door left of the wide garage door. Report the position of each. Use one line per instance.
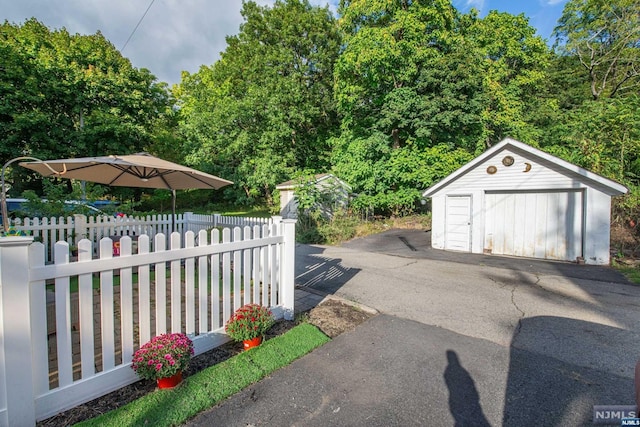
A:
(458, 223)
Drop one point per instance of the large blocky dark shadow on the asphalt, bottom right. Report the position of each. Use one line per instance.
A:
(553, 378)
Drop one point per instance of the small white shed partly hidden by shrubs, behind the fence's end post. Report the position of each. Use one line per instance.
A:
(333, 192)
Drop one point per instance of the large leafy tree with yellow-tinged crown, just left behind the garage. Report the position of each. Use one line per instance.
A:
(404, 84)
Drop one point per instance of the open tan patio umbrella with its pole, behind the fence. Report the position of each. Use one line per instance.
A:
(135, 170)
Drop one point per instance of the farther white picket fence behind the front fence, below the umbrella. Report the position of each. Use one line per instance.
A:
(74, 228)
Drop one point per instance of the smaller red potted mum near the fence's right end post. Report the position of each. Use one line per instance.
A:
(249, 323)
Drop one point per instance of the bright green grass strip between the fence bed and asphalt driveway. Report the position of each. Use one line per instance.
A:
(210, 386)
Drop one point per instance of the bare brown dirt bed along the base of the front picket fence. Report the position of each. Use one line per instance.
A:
(333, 317)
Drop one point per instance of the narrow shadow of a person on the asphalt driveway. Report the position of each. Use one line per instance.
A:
(464, 400)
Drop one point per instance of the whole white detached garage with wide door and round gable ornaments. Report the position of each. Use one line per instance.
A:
(517, 200)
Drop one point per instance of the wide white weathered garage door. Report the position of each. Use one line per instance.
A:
(534, 224)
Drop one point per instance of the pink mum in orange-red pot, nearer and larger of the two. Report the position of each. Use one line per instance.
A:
(163, 359)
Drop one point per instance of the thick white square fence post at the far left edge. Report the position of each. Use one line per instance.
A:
(16, 330)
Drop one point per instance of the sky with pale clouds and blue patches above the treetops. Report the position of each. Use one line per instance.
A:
(178, 35)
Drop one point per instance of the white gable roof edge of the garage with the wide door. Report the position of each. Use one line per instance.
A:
(526, 150)
